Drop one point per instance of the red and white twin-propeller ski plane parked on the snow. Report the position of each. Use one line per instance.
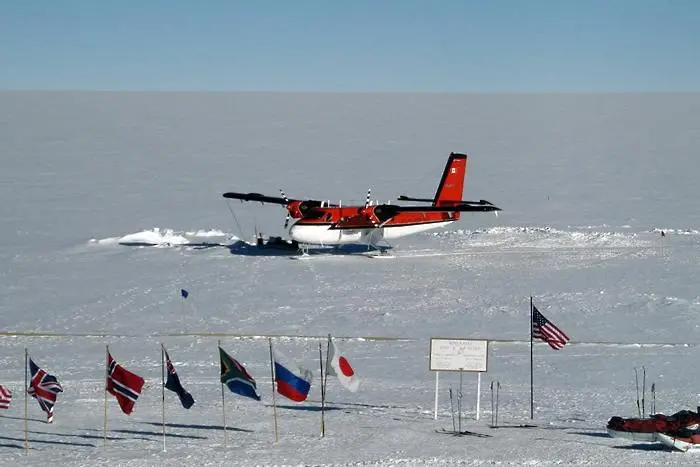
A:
(322, 223)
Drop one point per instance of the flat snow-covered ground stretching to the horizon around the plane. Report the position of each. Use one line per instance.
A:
(112, 203)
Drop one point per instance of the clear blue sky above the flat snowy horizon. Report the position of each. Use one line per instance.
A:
(360, 45)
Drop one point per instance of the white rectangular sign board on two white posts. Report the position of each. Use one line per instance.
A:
(459, 355)
